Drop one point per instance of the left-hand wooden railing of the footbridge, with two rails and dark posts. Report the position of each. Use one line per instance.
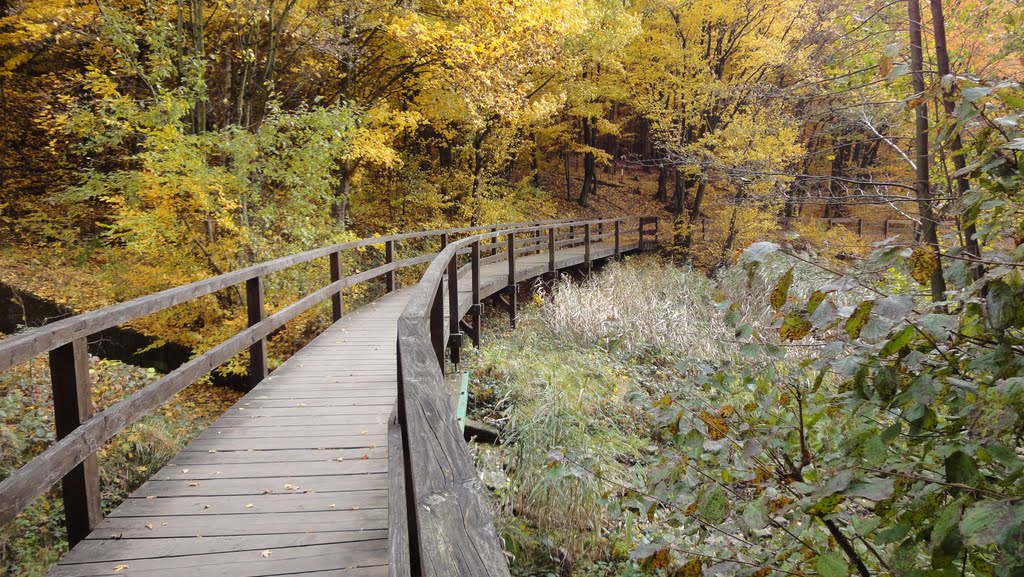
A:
(81, 432)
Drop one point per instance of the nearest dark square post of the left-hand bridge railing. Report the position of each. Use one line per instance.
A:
(72, 407)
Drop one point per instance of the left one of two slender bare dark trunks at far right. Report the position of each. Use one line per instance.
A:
(923, 184)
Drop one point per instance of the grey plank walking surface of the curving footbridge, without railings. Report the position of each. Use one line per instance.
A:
(294, 478)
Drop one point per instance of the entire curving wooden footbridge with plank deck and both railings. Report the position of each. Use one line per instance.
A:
(347, 461)
